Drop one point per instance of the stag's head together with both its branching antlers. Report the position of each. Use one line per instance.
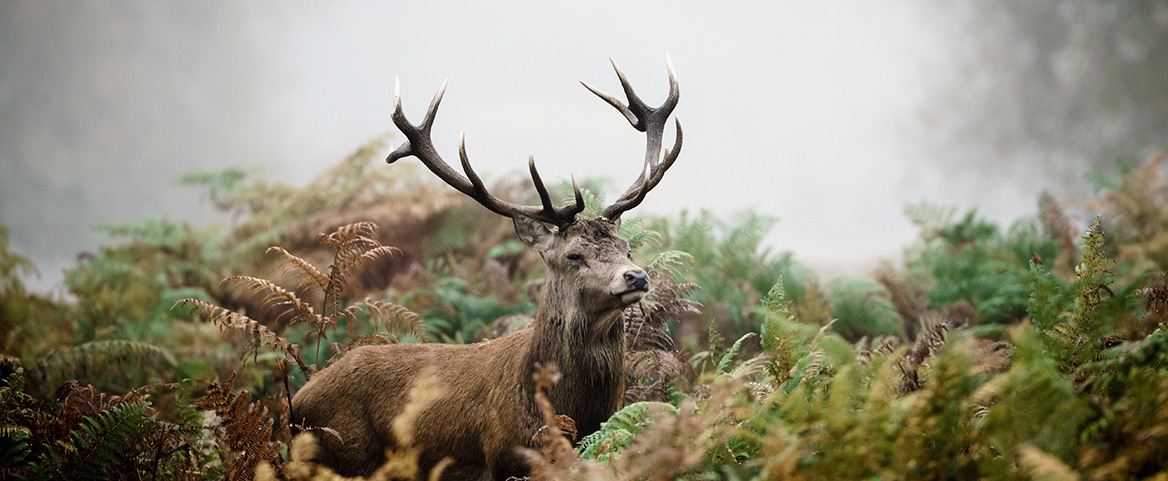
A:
(589, 266)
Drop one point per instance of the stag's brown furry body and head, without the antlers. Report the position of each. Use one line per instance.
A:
(489, 409)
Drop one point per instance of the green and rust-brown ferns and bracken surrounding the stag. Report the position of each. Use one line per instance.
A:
(1033, 352)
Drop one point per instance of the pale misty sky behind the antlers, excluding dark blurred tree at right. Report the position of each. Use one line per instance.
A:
(805, 111)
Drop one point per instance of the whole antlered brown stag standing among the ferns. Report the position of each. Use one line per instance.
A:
(488, 412)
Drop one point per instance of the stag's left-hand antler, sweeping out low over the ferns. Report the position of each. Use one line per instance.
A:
(420, 145)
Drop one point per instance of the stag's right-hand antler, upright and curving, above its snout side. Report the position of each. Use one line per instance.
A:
(652, 122)
